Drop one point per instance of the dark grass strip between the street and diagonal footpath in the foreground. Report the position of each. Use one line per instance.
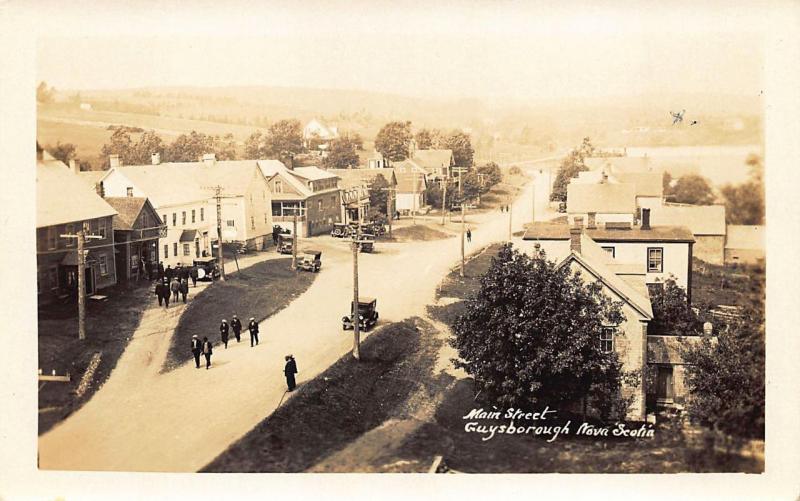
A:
(348, 399)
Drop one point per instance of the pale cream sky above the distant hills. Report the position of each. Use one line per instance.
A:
(500, 50)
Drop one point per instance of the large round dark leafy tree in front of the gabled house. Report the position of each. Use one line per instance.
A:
(530, 335)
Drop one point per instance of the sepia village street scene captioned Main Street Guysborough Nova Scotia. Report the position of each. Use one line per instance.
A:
(481, 237)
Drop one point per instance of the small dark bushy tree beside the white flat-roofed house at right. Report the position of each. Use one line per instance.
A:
(672, 314)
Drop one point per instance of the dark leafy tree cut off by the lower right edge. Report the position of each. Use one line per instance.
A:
(725, 378)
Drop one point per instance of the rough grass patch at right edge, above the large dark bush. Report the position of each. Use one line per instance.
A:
(715, 285)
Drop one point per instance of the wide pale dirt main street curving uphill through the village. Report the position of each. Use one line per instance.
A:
(181, 420)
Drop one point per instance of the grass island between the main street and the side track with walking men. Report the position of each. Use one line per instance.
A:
(259, 291)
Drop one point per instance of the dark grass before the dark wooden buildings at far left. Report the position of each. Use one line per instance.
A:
(109, 326)
